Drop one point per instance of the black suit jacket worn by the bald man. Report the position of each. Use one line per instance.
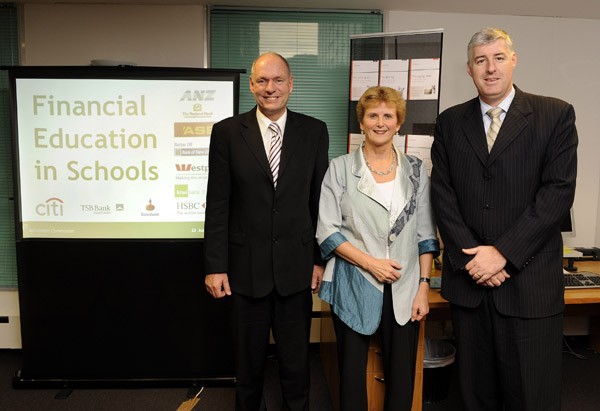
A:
(262, 237)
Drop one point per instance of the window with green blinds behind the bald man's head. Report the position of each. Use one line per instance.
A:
(317, 46)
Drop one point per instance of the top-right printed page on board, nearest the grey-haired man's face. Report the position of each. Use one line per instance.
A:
(424, 79)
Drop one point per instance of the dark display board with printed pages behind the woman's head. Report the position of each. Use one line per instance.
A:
(410, 62)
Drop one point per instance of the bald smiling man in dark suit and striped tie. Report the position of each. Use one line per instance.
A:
(260, 243)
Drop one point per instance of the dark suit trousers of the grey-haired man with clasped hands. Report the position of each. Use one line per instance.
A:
(507, 363)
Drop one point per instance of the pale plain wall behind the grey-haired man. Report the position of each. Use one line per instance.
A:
(556, 57)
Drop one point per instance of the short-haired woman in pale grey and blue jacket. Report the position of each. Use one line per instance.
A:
(377, 233)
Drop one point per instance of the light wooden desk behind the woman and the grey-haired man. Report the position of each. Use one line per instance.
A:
(578, 302)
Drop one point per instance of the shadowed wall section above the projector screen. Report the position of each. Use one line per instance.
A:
(148, 35)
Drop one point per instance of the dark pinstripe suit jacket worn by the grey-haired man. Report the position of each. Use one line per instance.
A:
(513, 198)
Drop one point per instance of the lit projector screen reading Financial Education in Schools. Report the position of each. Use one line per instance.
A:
(115, 152)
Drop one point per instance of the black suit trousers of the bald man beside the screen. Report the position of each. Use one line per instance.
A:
(289, 319)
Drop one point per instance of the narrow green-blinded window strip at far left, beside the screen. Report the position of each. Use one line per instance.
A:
(9, 56)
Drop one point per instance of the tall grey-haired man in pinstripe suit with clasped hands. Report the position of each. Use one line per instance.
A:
(499, 202)
